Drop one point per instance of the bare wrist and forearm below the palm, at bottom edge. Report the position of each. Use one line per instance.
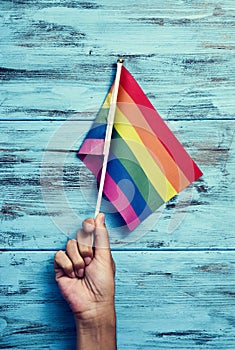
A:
(98, 333)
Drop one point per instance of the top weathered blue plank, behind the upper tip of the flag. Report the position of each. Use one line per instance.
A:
(56, 57)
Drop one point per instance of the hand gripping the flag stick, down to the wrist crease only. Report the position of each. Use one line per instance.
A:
(85, 275)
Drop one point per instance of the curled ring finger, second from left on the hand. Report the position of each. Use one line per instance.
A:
(74, 255)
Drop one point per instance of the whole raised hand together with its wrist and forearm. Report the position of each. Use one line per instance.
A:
(85, 276)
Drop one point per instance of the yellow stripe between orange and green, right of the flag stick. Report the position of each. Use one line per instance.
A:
(151, 169)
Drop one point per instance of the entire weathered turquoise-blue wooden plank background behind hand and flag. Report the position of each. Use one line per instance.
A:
(175, 273)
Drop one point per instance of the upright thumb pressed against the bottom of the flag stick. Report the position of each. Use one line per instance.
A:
(102, 244)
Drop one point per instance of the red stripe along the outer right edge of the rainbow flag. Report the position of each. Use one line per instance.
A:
(172, 145)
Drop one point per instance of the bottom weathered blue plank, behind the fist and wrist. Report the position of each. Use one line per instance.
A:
(164, 301)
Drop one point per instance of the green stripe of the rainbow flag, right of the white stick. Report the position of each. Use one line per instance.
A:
(122, 151)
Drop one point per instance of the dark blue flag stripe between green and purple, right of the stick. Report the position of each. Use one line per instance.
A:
(124, 181)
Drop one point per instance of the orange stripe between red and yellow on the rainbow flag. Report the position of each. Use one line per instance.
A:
(156, 149)
